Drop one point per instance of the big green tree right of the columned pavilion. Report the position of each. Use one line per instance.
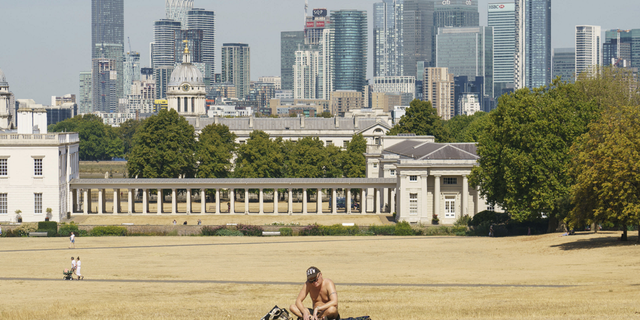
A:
(524, 149)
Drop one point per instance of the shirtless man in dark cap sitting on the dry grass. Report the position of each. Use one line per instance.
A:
(323, 295)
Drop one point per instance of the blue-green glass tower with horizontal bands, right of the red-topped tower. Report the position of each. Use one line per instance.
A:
(349, 49)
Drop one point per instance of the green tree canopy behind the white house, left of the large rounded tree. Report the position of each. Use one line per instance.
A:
(97, 140)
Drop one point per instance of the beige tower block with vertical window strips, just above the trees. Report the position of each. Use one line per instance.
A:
(439, 88)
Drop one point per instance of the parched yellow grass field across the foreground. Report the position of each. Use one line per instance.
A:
(586, 276)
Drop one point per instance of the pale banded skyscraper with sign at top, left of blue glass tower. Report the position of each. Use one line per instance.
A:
(501, 17)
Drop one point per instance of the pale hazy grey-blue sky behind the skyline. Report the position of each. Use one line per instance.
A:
(45, 44)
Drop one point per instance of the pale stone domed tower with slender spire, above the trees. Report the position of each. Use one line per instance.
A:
(186, 92)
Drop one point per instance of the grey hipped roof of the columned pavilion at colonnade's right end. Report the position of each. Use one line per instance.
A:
(418, 150)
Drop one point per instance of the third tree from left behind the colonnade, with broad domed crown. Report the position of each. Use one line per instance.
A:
(259, 157)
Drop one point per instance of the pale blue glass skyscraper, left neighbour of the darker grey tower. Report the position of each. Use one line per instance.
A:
(387, 38)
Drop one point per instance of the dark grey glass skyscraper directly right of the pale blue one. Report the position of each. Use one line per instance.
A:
(417, 38)
